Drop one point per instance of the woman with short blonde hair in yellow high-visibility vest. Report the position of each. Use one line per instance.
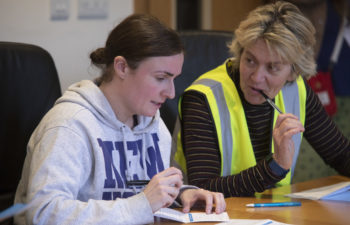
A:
(242, 123)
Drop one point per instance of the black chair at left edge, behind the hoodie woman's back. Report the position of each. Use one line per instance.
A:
(28, 89)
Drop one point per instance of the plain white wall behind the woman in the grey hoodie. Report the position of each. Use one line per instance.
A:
(68, 41)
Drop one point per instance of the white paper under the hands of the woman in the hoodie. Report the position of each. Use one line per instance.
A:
(172, 214)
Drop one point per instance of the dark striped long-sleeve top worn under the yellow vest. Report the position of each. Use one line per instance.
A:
(202, 152)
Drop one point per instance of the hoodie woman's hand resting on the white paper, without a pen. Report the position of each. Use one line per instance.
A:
(190, 196)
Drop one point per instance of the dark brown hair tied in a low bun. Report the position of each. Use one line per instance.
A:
(136, 38)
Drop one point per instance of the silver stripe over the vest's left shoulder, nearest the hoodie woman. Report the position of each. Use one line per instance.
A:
(225, 121)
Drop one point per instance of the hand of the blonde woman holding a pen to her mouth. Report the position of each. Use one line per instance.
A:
(286, 126)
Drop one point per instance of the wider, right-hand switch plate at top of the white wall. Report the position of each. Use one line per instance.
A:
(93, 9)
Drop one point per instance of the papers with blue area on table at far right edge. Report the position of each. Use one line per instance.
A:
(339, 192)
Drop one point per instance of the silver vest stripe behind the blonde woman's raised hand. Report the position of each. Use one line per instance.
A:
(291, 101)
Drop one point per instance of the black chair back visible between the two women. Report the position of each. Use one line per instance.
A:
(204, 50)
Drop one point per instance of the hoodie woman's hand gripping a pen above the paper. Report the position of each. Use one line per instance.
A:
(163, 188)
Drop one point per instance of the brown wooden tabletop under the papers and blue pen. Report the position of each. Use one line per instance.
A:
(310, 212)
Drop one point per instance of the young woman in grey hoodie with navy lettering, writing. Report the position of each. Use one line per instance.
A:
(102, 135)
